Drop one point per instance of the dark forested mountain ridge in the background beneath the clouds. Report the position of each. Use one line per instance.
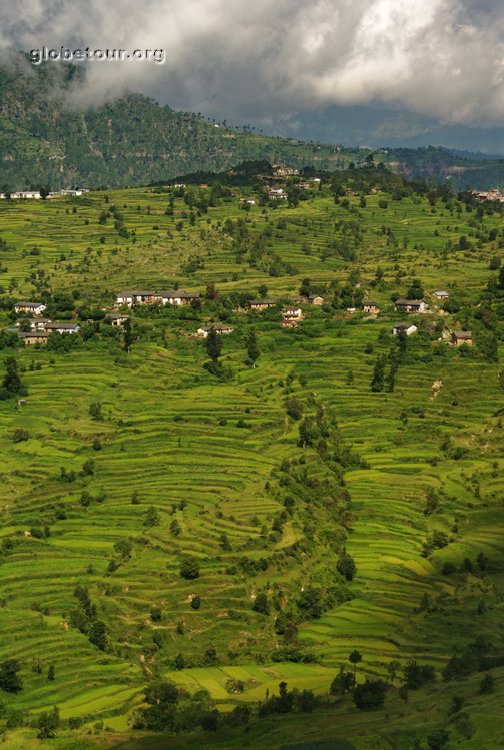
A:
(134, 141)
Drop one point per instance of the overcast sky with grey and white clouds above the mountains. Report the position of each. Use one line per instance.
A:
(252, 60)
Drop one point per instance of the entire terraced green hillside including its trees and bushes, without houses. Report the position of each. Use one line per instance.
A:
(191, 527)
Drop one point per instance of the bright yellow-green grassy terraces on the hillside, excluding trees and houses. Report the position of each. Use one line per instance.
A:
(170, 435)
